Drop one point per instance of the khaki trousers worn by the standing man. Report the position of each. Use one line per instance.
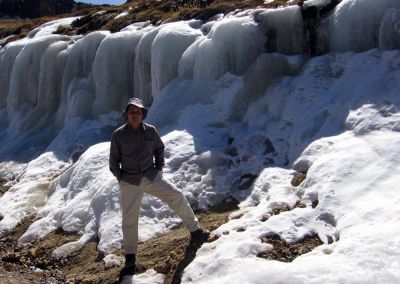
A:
(131, 197)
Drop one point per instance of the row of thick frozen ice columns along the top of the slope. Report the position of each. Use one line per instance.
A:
(72, 77)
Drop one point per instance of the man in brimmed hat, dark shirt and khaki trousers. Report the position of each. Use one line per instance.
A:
(136, 160)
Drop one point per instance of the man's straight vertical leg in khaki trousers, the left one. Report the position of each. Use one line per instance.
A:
(130, 197)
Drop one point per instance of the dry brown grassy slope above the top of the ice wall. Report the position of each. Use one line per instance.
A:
(105, 17)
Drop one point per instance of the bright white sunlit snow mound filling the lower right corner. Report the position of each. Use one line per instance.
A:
(358, 212)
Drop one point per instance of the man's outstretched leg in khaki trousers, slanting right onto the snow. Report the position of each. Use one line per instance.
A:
(169, 194)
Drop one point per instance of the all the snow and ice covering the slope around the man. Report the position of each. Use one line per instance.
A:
(226, 109)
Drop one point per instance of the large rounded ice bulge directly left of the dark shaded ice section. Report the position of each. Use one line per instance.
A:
(230, 46)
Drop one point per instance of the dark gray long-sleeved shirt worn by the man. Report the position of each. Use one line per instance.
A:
(135, 153)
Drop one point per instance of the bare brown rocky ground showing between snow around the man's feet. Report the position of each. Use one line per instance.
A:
(168, 254)
